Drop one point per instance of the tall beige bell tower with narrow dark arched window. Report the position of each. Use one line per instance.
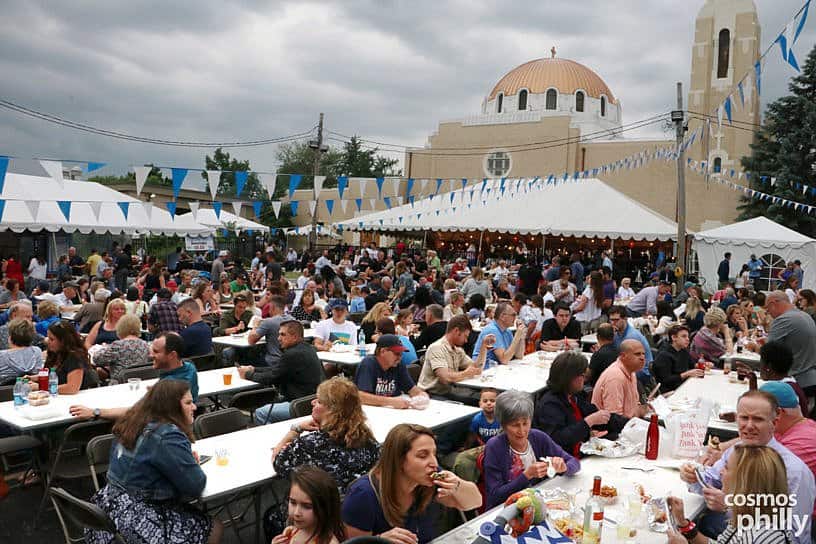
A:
(726, 46)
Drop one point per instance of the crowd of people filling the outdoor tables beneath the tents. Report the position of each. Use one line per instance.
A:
(434, 324)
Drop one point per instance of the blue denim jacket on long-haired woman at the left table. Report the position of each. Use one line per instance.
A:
(160, 467)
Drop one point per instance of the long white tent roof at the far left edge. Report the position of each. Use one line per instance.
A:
(31, 203)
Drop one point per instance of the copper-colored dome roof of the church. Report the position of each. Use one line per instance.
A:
(565, 75)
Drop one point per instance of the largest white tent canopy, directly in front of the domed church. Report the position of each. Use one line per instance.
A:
(587, 208)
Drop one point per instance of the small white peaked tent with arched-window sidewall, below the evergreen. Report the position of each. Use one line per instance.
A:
(760, 236)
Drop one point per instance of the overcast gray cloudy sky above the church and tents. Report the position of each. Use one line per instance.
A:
(216, 70)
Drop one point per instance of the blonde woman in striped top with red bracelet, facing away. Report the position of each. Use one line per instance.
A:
(750, 471)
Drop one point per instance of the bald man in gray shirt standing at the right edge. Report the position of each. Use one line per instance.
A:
(796, 329)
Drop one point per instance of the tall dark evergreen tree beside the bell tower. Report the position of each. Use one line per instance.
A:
(785, 148)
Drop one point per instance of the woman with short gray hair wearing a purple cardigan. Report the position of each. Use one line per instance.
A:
(515, 459)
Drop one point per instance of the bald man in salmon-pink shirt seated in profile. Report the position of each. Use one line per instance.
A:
(616, 389)
